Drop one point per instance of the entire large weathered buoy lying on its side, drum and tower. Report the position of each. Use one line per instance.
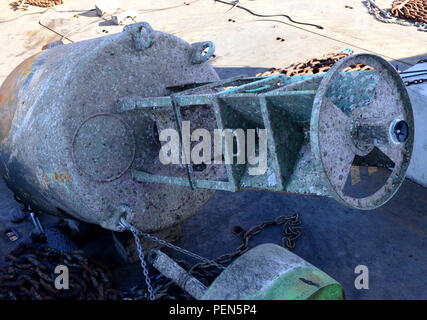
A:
(82, 125)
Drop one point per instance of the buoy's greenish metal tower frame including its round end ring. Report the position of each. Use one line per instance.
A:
(289, 108)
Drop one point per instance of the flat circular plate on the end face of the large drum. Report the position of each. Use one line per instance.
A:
(103, 147)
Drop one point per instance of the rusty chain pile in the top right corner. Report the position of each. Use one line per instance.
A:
(415, 10)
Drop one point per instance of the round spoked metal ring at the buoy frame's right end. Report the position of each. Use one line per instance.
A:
(377, 102)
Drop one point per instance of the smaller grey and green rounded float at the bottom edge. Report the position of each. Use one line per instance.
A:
(270, 272)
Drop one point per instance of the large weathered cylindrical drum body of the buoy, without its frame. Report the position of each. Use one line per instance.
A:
(64, 148)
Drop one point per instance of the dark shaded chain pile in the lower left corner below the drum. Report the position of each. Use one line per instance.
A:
(30, 275)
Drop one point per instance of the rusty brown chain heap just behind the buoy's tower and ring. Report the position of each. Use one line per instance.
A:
(314, 66)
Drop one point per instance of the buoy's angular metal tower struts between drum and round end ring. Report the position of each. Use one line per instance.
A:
(256, 95)
